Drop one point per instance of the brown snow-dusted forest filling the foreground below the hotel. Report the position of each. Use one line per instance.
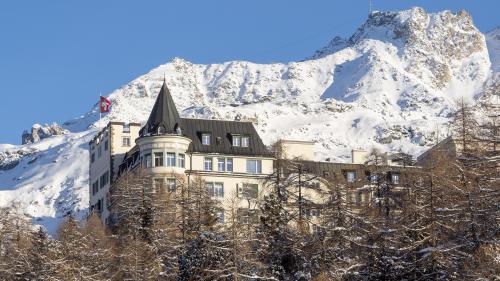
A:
(442, 223)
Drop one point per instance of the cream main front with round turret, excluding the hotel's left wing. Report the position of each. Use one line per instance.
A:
(227, 176)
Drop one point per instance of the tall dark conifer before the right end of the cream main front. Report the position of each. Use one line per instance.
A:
(283, 228)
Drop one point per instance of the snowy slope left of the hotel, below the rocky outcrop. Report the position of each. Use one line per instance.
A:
(50, 177)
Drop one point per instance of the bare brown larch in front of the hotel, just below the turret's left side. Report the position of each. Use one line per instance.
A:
(133, 216)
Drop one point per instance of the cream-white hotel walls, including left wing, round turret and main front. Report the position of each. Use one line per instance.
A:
(165, 156)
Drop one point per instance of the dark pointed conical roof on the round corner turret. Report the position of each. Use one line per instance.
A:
(164, 118)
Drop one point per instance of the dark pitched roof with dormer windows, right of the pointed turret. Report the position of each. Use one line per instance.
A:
(222, 133)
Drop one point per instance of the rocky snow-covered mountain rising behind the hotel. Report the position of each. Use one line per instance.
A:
(391, 85)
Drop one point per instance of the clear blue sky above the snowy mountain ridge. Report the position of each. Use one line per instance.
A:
(56, 56)
